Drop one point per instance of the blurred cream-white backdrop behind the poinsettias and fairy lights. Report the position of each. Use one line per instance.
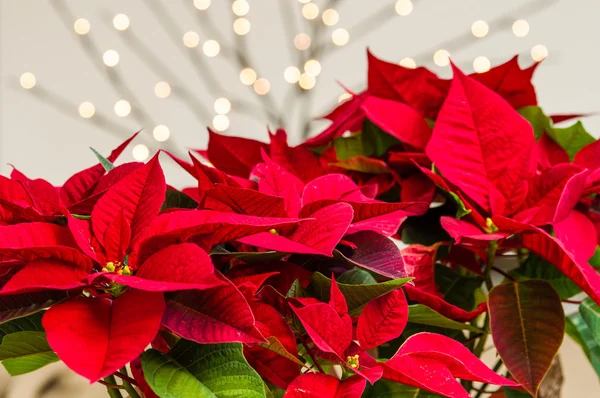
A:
(43, 134)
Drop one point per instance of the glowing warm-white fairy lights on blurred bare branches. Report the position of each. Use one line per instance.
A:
(307, 41)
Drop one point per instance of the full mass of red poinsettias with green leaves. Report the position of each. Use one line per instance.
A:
(431, 221)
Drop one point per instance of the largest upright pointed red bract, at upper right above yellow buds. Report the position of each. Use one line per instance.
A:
(499, 142)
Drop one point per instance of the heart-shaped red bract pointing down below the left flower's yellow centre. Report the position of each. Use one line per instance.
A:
(95, 337)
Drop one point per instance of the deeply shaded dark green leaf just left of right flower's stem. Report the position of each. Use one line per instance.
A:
(457, 289)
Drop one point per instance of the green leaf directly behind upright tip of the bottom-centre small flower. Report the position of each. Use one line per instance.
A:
(357, 296)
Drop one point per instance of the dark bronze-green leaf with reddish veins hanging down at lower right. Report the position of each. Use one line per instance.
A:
(528, 324)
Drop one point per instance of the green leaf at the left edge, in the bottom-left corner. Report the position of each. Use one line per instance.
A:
(24, 352)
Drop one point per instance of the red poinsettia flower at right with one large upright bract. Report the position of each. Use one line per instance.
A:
(498, 180)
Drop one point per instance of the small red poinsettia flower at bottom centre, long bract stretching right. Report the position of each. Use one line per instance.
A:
(330, 328)
